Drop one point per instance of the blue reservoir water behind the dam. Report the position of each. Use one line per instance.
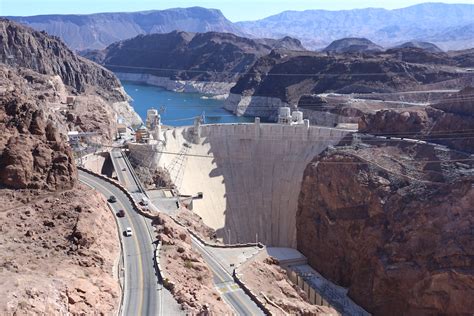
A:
(180, 108)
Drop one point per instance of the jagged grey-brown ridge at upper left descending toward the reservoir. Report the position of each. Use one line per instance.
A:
(26, 48)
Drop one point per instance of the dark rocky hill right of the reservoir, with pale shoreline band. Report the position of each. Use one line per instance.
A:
(284, 77)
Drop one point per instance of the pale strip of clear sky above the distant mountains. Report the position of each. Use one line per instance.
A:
(235, 10)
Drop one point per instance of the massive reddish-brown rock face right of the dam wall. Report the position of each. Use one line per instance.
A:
(393, 229)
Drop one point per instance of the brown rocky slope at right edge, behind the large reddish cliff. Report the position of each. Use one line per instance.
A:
(448, 122)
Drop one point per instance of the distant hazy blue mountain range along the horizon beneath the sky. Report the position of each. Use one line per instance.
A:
(450, 26)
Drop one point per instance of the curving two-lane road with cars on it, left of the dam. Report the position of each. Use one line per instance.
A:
(142, 291)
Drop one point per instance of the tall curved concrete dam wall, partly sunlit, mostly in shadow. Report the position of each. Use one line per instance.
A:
(250, 175)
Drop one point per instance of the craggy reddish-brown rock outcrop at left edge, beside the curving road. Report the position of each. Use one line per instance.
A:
(32, 152)
